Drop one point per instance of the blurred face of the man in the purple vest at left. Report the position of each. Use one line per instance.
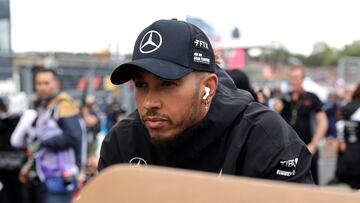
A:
(46, 85)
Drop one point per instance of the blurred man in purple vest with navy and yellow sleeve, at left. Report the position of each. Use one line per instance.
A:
(57, 144)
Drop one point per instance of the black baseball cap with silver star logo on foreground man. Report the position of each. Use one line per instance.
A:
(169, 49)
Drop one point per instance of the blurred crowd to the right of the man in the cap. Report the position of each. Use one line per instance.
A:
(330, 127)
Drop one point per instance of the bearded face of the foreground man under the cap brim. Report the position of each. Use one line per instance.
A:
(167, 107)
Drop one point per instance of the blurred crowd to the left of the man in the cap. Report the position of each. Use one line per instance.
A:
(49, 151)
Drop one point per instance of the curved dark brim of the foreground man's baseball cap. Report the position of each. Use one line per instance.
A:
(158, 67)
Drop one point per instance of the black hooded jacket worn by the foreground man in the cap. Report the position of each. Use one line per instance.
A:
(238, 136)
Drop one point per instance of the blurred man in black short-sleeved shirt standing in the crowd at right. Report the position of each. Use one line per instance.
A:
(298, 109)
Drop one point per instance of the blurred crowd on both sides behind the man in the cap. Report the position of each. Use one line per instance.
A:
(331, 126)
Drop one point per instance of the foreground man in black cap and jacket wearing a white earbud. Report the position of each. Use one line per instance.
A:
(190, 114)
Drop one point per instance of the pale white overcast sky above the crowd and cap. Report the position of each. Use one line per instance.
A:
(94, 25)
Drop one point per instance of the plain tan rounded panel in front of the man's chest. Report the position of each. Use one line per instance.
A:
(127, 183)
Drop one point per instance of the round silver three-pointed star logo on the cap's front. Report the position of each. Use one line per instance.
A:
(150, 42)
